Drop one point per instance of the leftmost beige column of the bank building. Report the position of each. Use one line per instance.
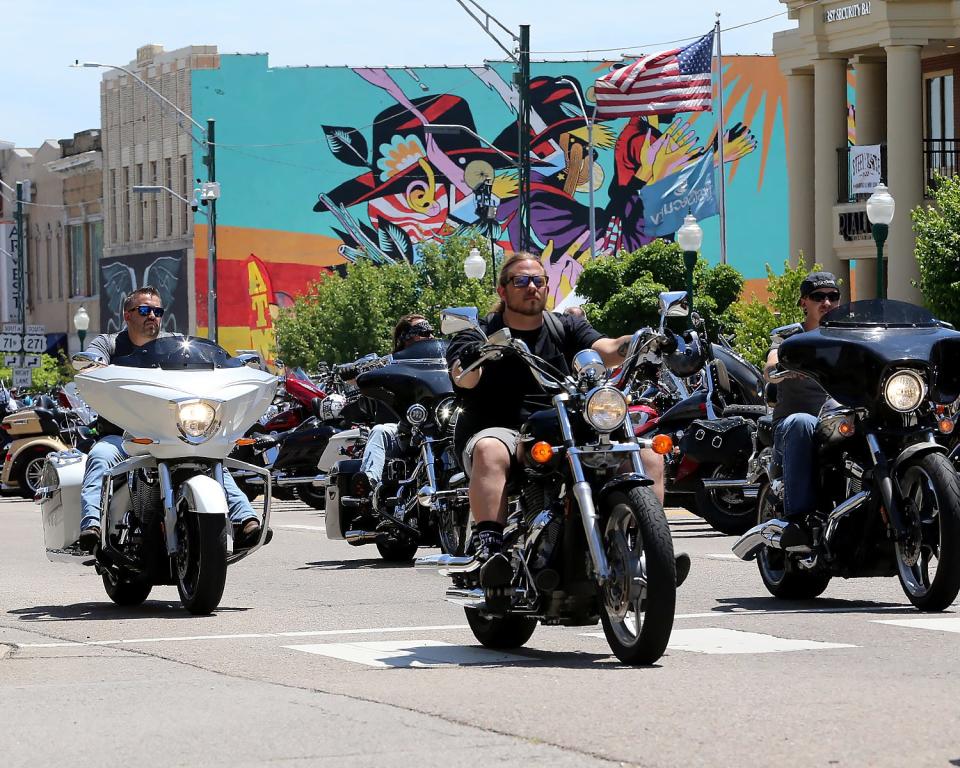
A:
(800, 166)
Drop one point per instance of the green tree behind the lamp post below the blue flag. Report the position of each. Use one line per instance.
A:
(622, 291)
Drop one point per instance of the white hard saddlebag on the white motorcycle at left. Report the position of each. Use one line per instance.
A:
(59, 494)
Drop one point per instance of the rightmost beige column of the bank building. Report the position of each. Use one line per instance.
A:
(905, 166)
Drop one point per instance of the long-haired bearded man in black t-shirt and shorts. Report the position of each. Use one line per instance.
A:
(500, 395)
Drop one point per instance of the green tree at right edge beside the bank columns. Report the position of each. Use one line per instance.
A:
(938, 249)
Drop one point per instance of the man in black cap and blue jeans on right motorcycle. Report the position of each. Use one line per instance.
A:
(799, 400)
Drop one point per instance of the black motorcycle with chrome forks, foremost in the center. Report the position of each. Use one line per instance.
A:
(586, 538)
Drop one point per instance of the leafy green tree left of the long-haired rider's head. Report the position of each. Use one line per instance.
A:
(340, 318)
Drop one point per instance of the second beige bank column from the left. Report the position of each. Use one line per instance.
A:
(830, 133)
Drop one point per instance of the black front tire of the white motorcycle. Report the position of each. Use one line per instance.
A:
(201, 560)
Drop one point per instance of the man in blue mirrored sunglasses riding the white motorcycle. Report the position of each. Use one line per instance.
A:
(143, 314)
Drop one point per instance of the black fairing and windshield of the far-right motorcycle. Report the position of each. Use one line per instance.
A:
(859, 344)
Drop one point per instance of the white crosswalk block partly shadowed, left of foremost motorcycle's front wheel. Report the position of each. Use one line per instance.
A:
(408, 653)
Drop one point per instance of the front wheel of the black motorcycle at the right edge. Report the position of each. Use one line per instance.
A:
(936, 475)
